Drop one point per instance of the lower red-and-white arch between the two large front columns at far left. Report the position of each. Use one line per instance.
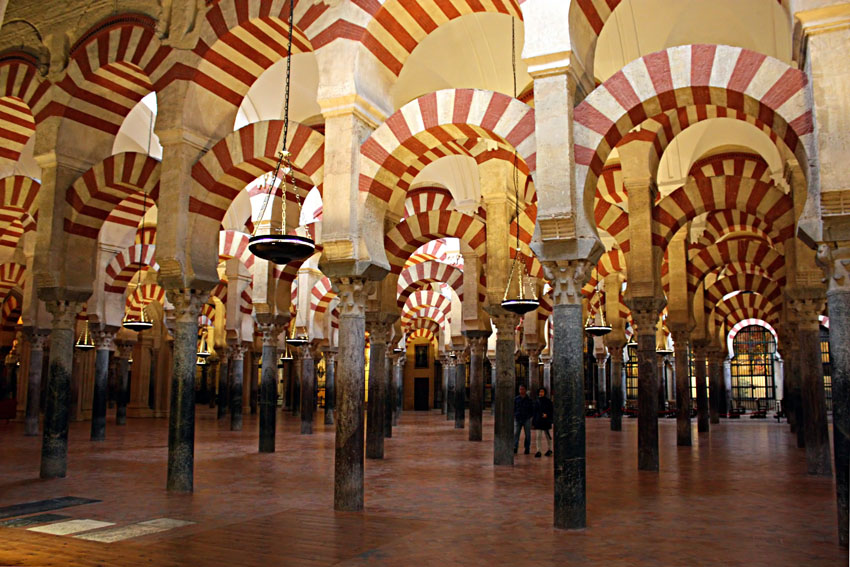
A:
(116, 182)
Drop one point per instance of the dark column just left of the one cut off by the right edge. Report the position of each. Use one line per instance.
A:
(815, 428)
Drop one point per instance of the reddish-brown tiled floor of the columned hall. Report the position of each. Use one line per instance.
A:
(740, 496)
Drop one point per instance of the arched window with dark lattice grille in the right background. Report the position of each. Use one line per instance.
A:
(752, 365)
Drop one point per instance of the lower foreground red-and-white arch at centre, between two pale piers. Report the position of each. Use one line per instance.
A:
(395, 152)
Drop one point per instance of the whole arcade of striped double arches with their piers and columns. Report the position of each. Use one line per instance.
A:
(98, 223)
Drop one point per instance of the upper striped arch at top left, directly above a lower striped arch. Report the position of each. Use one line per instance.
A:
(111, 68)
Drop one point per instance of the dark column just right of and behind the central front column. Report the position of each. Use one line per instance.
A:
(379, 333)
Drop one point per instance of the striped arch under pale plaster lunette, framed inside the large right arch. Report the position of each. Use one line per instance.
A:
(709, 194)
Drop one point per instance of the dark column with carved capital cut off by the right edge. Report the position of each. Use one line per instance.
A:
(836, 264)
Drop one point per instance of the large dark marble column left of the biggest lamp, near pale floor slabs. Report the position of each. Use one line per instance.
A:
(181, 419)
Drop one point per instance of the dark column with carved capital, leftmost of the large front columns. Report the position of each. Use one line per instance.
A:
(54, 446)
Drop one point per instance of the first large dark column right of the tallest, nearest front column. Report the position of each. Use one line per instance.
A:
(645, 314)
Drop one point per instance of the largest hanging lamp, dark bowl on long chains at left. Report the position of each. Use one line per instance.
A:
(282, 248)
